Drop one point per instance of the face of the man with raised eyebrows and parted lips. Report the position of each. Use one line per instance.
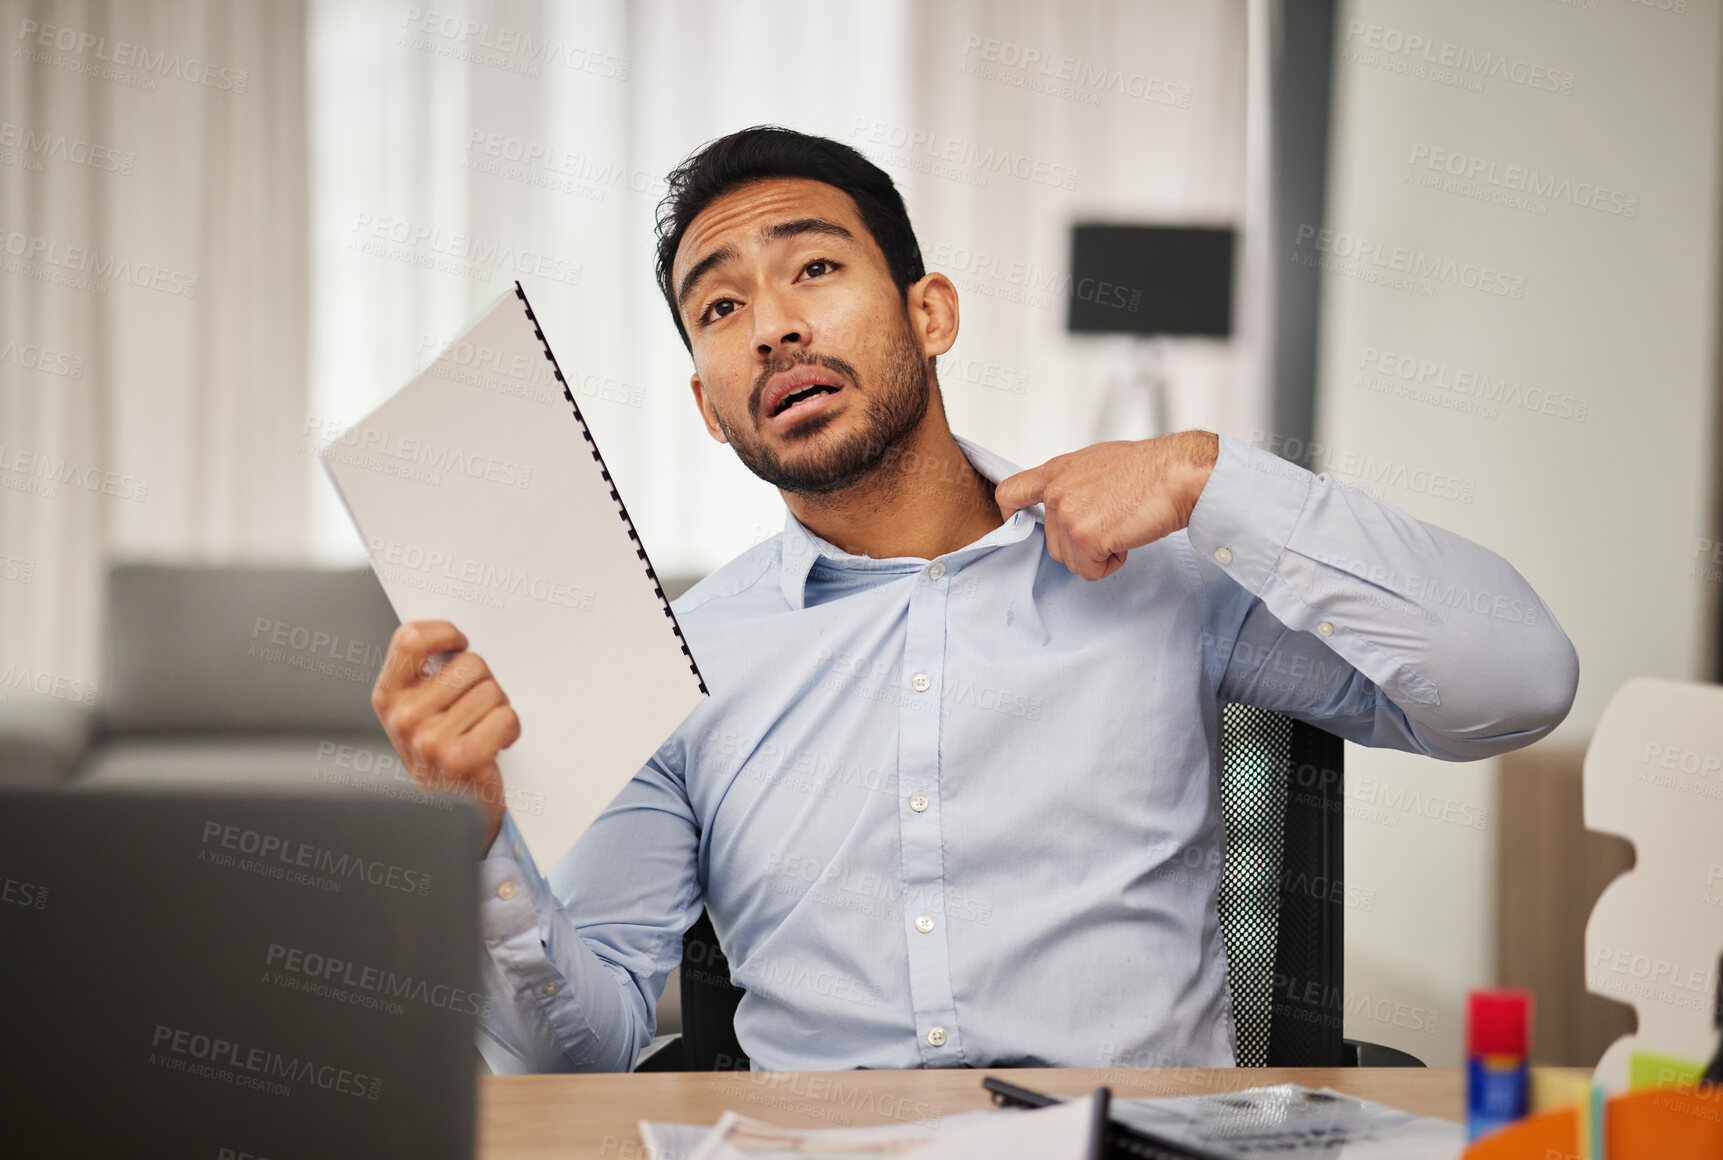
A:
(807, 361)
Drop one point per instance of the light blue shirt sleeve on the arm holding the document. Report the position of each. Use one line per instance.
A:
(575, 963)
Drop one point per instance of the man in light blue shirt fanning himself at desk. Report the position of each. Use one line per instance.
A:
(964, 723)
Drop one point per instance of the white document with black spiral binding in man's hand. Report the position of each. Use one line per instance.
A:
(483, 501)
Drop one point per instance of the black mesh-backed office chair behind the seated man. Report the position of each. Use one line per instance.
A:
(1281, 909)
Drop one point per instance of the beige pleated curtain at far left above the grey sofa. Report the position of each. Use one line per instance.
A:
(152, 304)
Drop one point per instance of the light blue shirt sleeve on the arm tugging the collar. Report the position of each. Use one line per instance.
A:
(1347, 611)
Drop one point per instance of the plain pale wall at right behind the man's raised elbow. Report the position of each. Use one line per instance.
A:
(1550, 394)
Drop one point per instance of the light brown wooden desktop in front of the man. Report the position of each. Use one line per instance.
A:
(533, 1118)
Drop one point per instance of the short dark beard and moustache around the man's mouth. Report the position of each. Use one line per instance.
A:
(895, 406)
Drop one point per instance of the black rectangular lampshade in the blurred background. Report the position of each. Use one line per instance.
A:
(1152, 280)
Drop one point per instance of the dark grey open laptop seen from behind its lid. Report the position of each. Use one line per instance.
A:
(239, 975)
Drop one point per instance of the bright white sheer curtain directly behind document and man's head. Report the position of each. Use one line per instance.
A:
(545, 130)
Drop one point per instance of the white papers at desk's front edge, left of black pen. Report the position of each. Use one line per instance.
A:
(1062, 1132)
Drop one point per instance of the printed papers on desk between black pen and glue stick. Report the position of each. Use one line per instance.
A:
(1293, 1123)
